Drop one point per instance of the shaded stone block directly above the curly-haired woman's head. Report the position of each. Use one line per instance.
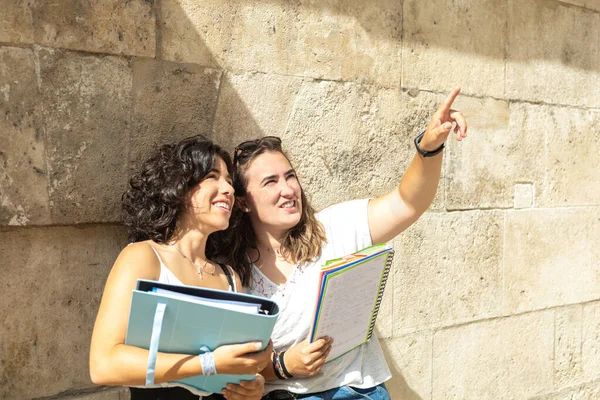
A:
(171, 102)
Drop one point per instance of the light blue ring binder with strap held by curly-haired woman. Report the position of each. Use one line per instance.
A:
(169, 325)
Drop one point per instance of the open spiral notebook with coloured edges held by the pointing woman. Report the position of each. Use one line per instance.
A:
(351, 289)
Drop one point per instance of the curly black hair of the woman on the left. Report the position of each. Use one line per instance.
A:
(157, 193)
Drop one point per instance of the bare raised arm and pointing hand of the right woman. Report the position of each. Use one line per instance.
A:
(395, 211)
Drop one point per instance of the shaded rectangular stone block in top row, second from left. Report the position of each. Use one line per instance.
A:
(109, 26)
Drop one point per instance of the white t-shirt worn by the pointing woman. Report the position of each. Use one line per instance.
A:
(347, 229)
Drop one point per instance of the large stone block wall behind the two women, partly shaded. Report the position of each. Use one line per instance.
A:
(496, 289)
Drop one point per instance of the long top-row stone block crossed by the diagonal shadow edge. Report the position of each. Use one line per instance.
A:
(336, 40)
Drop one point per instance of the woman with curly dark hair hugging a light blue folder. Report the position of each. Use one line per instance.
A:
(181, 195)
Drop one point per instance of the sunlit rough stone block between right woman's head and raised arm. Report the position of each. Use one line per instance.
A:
(338, 129)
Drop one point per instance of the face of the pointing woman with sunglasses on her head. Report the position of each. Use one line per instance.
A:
(273, 193)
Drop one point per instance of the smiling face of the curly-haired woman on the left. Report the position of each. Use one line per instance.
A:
(211, 201)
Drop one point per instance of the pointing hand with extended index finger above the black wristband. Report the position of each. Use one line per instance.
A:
(441, 124)
